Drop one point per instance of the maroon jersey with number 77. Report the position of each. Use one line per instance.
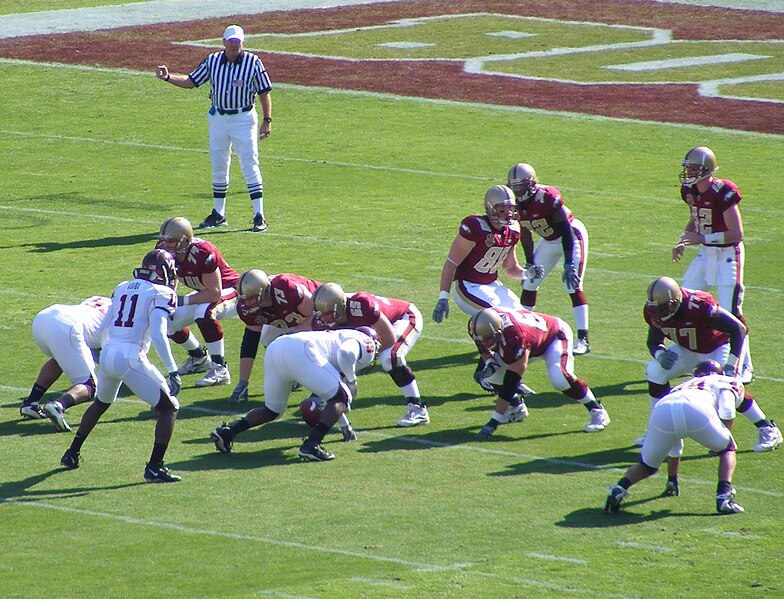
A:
(690, 326)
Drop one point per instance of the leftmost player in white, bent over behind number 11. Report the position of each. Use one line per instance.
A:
(69, 335)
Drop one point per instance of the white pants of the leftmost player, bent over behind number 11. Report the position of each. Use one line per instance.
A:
(59, 337)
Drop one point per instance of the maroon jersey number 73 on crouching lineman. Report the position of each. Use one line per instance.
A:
(286, 293)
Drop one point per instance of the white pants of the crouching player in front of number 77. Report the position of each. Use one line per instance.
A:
(674, 418)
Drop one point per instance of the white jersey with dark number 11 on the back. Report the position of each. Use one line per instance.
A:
(133, 301)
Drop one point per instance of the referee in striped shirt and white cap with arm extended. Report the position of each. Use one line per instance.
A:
(236, 77)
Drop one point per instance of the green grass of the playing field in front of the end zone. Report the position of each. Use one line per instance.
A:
(368, 192)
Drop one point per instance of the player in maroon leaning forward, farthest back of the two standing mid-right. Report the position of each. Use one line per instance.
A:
(541, 210)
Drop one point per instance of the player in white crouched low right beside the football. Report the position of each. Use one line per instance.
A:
(326, 363)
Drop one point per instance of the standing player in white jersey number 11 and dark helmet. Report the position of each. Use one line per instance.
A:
(140, 313)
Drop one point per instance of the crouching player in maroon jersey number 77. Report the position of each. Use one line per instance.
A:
(698, 329)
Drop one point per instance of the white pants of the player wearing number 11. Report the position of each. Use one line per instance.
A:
(122, 363)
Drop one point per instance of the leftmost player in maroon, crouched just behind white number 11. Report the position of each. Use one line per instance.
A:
(200, 266)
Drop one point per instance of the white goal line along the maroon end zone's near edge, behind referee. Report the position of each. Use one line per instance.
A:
(439, 102)
